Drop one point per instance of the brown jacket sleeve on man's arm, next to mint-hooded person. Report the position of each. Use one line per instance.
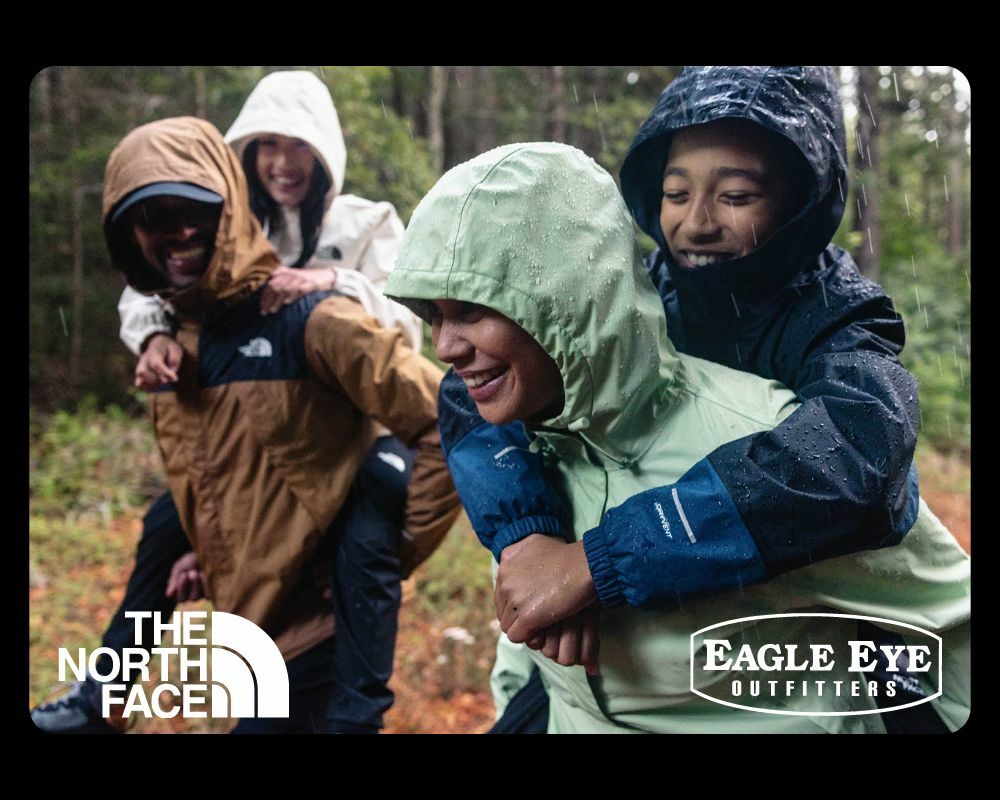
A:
(395, 385)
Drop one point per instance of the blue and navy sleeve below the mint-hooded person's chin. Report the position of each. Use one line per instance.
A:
(502, 484)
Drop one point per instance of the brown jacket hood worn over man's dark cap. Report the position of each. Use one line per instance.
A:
(187, 150)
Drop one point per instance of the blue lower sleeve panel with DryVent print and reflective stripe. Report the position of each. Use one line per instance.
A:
(673, 542)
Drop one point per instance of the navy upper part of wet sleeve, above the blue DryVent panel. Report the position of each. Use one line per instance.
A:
(835, 477)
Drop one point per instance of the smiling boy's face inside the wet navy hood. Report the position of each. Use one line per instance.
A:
(727, 188)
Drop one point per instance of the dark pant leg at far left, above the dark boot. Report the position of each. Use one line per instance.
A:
(162, 543)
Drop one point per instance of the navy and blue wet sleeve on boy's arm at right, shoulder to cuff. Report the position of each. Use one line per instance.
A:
(834, 477)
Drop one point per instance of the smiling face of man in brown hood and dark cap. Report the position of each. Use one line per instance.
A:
(176, 235)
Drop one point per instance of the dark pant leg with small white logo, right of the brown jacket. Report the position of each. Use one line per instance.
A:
(366, 588)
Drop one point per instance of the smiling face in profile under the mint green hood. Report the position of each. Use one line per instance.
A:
(508, 374)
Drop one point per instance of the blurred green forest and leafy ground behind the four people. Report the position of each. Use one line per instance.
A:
(92, 461)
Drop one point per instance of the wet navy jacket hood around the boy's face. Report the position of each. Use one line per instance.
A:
(799, 104)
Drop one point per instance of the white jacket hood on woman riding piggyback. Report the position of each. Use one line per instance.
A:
(298, 105)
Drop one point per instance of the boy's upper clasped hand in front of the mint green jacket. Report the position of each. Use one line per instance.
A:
(541, 581)
